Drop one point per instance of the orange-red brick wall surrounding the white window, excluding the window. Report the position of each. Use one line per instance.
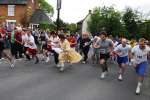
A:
(20, 11)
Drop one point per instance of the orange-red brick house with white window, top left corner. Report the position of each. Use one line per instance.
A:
(17, 11)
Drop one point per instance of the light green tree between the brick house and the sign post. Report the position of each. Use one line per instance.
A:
(46, 6)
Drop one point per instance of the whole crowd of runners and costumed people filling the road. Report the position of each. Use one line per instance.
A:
(71, 48)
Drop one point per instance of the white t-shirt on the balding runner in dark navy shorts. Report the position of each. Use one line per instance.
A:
(123, 51)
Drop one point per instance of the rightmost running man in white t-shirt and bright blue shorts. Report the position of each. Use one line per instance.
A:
(140, 55)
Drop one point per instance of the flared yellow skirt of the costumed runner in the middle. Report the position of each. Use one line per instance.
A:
(71, 55)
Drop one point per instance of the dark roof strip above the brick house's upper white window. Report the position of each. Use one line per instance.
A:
(6, 2)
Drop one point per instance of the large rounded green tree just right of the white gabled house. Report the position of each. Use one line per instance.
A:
(105, 18)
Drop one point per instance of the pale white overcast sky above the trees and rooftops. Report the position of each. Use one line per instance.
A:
(76, 10)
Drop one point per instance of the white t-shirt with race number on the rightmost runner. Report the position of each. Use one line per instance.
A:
(140, 55)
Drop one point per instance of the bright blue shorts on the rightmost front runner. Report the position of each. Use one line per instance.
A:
(141, 68)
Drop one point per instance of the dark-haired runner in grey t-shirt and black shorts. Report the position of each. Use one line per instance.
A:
(105, 46)
